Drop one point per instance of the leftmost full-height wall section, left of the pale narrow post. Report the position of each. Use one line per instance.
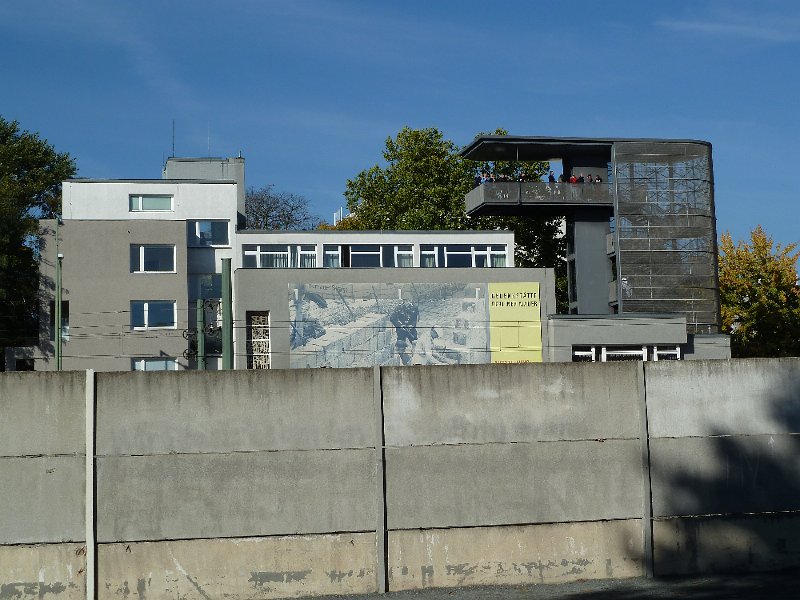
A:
(42, 460)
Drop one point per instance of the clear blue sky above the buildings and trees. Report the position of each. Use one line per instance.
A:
(308, 91)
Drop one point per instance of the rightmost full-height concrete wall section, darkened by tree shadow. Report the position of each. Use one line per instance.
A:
(725, 467)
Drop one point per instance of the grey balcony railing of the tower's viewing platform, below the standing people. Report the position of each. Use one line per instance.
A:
(509, 193)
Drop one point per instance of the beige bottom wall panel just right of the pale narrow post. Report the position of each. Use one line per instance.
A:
(277, 567)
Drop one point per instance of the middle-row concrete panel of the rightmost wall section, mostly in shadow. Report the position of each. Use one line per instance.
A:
(728, 474)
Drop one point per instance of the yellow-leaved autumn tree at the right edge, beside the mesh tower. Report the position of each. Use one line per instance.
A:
(759, 296)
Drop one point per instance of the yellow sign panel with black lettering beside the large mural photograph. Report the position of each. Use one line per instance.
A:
(515, 322)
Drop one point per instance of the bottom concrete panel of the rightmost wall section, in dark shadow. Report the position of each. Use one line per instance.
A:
(748, 543)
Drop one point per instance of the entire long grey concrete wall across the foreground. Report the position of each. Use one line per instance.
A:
(290, 482)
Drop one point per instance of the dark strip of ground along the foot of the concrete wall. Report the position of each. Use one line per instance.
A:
(783, 584)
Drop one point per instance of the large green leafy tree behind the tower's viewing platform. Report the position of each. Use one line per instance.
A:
(422, 186)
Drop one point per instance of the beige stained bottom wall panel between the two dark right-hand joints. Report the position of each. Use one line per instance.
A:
(550, 553)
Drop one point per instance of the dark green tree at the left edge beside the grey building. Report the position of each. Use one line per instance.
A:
(31, 172)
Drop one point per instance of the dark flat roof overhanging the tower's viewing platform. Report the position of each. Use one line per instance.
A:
(535, 148)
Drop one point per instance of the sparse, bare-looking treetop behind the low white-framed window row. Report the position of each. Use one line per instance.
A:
(268, 209)
